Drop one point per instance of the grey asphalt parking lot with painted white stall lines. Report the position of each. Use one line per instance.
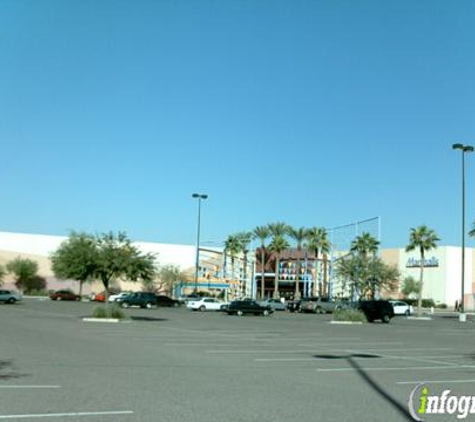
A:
(176, 365)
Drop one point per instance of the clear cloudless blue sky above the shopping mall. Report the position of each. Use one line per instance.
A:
(113, 112)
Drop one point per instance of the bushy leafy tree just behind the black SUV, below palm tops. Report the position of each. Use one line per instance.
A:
(367, 275)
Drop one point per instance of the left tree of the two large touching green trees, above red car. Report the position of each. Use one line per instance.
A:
(76, 258)
